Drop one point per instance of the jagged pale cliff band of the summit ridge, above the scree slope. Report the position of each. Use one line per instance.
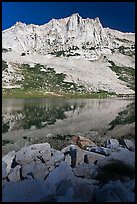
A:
(83, 36)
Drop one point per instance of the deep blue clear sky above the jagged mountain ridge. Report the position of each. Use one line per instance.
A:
(116, 15)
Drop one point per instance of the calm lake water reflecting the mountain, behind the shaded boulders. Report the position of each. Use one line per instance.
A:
(55, 120)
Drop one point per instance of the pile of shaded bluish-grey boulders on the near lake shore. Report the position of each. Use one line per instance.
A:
(39, 173)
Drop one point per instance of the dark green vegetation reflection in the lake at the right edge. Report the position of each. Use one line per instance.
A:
(124, 117)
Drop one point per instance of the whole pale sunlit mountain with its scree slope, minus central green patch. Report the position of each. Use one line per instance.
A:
(73, 46)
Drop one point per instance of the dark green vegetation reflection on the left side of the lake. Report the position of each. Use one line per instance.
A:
(35, 115)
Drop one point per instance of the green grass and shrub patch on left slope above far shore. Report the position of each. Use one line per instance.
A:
(43, 81)
